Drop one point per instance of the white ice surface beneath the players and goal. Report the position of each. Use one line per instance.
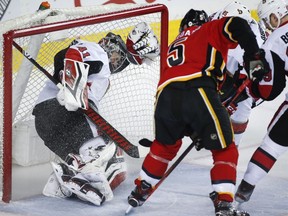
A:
(185, 192)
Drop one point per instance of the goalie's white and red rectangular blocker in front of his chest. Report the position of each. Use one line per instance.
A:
(74, 95)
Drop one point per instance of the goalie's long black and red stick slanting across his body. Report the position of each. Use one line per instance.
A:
(94, 116)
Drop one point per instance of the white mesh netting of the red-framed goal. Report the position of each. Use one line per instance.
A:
(129, 103)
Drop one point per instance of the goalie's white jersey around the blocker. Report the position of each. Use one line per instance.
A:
(98, 81)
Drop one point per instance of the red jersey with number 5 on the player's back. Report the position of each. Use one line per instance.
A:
(198, 51)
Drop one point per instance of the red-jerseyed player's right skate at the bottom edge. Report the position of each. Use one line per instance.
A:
(225, 208)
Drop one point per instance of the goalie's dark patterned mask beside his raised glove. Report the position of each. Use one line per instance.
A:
(116, 50)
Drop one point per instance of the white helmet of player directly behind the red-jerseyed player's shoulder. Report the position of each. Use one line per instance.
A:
(236, 8)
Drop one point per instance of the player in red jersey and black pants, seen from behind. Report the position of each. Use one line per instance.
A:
(188, 102)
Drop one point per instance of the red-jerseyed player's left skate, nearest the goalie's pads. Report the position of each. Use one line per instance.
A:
(141, 192)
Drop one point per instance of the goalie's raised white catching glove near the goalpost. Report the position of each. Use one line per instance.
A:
(142, 44)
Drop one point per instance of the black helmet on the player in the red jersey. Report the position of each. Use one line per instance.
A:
(193, 17)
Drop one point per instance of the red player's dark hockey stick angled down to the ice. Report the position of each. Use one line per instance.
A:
(167, 173)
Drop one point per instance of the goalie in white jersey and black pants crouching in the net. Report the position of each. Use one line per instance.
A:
(91, 166)
